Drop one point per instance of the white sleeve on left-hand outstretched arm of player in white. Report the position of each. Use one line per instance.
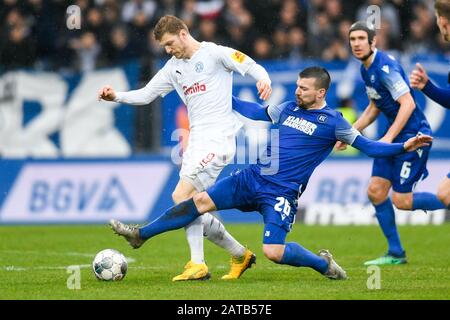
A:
(159, 85)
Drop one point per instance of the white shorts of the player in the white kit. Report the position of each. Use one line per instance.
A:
(204, 159)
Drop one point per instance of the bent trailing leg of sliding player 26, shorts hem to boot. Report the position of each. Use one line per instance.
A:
(293, 254)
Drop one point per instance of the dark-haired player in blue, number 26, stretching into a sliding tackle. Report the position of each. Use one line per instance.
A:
(308, 130)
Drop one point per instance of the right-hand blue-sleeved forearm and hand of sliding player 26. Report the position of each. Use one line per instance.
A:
(376, 149)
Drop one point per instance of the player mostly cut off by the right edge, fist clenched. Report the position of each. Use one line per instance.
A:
(419, 80)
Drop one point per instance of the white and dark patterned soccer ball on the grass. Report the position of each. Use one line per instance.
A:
(110, 265)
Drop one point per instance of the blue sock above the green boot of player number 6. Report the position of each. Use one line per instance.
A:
(386, 218)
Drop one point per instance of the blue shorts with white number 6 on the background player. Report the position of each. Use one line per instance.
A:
(403, 170)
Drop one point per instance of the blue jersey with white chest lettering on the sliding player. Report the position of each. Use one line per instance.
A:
(305, 139)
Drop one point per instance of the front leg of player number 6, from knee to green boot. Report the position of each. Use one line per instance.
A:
(385, 214)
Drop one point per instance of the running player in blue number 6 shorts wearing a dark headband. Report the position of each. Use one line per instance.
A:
(389, 93)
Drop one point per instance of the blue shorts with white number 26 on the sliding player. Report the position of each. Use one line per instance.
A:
(247, 191)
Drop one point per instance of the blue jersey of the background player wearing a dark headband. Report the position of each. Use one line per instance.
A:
(385, 82)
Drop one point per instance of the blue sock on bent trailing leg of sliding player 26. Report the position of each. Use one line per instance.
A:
(297, 256)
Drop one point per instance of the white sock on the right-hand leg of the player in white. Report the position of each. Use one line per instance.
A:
(215, 231)
